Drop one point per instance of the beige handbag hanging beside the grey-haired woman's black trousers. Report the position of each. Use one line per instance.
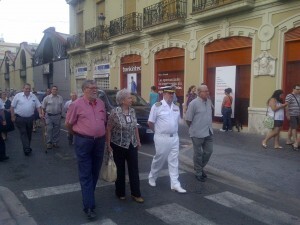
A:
(109, 169)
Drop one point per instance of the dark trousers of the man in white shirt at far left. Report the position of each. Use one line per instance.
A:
(24, 125)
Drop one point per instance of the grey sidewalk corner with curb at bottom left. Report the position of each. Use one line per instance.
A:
(11, 209)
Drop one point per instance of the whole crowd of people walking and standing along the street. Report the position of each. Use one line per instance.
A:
(92, 132)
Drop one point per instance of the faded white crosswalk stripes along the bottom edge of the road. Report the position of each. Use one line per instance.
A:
(176, 214)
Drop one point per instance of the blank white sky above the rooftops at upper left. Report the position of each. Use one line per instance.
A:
(25, 20)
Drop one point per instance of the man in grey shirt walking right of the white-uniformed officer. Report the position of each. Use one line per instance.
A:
(199, 120)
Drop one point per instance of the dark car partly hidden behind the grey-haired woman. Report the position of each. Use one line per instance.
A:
(141, 107)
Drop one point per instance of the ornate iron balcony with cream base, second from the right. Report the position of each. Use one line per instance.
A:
(165, 15)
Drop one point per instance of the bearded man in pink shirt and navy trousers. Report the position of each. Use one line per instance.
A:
(86, 119)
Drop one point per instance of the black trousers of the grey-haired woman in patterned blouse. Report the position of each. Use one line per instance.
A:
(131, 156)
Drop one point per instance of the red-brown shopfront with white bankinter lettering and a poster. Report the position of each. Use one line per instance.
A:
(130, 74)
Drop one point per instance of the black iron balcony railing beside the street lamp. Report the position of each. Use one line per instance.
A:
(96, 34)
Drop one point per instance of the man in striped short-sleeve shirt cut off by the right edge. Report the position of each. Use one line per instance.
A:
(293, 115)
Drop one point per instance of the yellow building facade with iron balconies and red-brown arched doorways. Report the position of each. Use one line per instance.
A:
(249, 45)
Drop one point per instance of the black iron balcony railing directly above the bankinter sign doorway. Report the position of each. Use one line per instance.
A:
(126, 24)
